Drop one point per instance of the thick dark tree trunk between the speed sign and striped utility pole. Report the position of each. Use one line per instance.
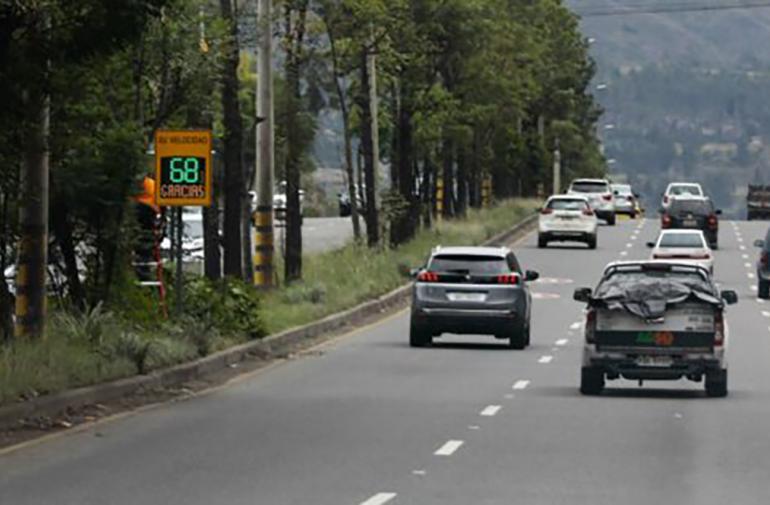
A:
(234, 183)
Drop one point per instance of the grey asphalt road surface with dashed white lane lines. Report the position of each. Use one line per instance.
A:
(371, 421)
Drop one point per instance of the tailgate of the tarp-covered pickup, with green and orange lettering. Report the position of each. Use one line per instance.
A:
(685, 328)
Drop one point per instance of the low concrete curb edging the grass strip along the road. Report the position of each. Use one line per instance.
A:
(277, 345)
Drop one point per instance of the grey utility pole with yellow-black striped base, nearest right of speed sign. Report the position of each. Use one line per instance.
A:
(263, 217)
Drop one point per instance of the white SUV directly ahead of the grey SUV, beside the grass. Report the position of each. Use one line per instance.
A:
(567, 218)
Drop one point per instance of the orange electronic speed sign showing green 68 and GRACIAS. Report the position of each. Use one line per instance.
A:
(183, 168)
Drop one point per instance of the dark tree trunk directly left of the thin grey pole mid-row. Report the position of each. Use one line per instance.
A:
(370, 175)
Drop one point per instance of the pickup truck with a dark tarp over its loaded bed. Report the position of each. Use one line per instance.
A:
(655, 320)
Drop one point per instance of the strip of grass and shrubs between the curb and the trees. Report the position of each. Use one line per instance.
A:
(129, 338)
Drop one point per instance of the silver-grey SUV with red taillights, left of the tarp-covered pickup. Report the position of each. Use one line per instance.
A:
(471, 290)
